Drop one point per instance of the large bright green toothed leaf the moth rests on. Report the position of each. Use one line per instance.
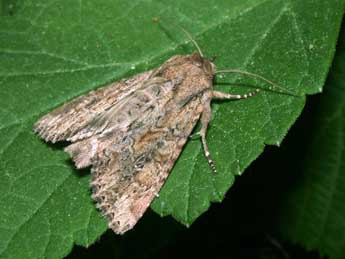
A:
(52, 51)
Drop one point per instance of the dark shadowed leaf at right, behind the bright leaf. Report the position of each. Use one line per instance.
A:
(313, 210)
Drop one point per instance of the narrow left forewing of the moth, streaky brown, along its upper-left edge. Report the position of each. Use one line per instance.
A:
(73, 120)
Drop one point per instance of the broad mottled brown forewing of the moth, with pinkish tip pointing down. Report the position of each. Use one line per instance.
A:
(128, 176)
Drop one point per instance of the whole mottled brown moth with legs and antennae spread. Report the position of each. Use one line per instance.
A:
(132, 131)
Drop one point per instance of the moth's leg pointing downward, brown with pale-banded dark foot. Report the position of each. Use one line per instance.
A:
(205, 119)
